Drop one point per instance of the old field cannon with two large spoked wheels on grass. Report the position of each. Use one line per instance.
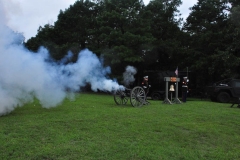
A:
(136, 95)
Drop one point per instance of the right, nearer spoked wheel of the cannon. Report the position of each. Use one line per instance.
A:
(137, 97)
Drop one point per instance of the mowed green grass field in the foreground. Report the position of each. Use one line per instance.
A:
(93, 127)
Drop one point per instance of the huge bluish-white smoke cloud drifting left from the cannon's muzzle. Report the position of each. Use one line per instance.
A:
(25, 75)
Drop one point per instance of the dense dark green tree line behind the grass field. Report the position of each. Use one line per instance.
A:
(149, 37)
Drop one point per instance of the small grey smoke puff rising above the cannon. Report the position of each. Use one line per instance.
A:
(128, 75)
